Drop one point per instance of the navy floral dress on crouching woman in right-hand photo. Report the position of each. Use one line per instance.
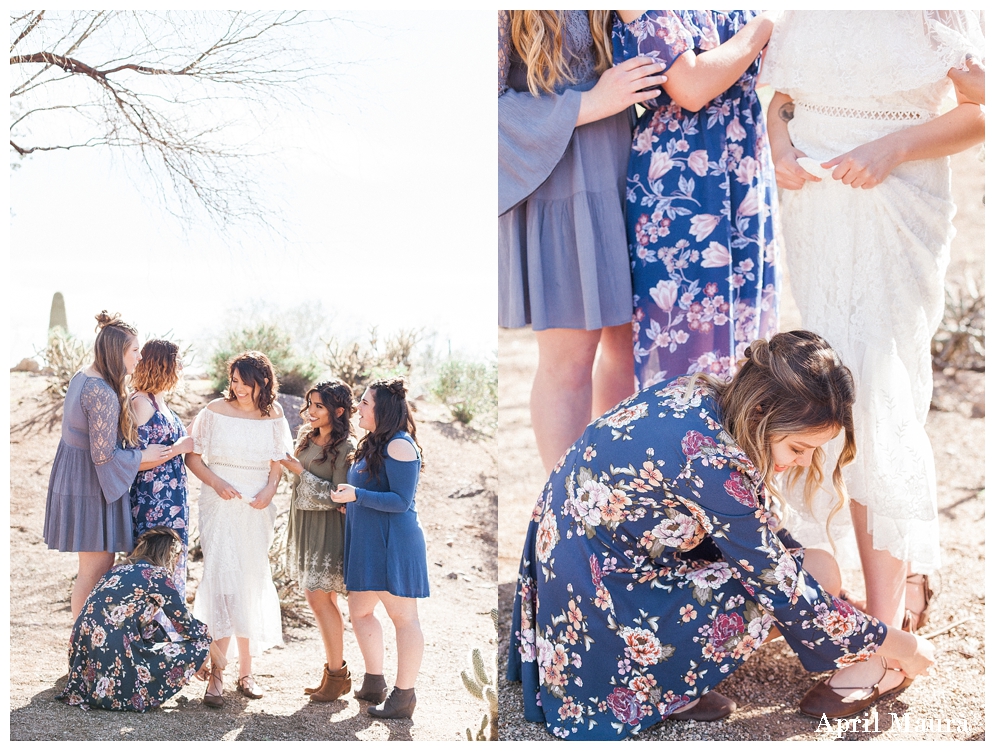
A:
(652, 570)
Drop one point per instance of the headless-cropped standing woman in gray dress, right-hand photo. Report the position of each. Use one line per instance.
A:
(564, 131)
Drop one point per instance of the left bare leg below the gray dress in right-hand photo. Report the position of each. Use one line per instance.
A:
(561, 392)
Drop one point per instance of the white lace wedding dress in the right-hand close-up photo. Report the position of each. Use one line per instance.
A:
(866, 266)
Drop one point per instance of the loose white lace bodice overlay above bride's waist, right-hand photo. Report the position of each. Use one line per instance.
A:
(871, 60)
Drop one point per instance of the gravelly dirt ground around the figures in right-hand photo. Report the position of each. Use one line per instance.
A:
(769, 686)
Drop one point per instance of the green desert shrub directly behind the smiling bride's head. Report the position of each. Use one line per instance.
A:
(295, 373)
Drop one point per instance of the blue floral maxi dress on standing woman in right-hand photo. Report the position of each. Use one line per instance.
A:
(699, 202)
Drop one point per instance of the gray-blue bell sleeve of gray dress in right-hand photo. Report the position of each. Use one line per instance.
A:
(533, 131)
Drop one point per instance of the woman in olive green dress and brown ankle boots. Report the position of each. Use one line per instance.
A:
(317, 525)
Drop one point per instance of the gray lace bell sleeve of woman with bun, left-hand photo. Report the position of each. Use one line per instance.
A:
(116, 467)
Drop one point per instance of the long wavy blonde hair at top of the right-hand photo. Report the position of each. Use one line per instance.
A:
(537, 36)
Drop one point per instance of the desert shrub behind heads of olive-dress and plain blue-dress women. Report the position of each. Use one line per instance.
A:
(358, 364)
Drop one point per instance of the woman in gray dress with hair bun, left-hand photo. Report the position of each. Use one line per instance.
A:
(88, 510)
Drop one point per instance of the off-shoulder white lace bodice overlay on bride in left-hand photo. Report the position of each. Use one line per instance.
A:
(239, 442)
